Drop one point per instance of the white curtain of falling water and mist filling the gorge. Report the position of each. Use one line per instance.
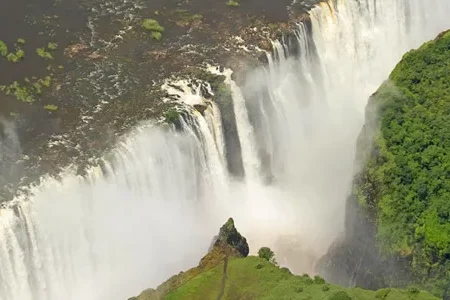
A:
(153, 206)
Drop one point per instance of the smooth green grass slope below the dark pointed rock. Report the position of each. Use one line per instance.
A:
(255, 278)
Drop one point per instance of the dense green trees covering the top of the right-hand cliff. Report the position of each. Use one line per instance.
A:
(405, 185)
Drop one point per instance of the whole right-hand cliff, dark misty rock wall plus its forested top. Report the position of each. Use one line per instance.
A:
(398, 214)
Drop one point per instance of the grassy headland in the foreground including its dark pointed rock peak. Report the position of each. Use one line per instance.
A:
(226, 272)
